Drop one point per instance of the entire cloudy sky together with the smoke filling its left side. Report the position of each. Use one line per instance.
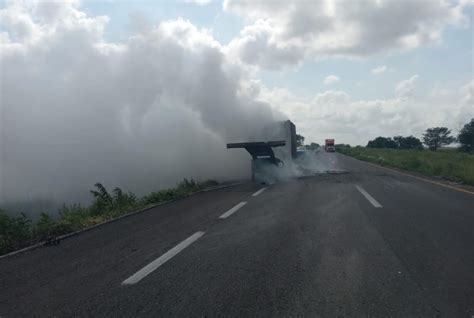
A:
(143, 93)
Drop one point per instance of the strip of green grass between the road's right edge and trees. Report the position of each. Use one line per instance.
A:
(448, 164)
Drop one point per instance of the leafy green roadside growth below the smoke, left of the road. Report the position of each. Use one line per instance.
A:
(20, 231)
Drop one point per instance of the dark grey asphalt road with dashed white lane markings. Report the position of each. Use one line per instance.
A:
(365, 242)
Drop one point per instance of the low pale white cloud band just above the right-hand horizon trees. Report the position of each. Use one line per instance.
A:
(336, 114)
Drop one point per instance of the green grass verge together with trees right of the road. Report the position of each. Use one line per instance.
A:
(408, 153)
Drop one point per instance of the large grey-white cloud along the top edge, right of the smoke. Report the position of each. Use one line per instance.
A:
(282, 33)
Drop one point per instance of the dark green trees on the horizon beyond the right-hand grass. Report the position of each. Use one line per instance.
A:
(433, 138)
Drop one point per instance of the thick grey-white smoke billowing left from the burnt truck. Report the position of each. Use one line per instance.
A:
(141, 114)
